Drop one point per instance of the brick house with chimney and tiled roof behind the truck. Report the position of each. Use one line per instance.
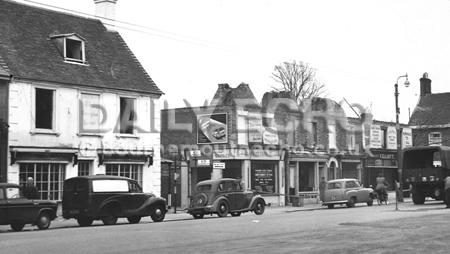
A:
(430, 119)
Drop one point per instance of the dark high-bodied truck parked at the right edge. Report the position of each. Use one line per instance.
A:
(424, 171)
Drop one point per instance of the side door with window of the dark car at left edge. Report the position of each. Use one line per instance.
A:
(20, 208)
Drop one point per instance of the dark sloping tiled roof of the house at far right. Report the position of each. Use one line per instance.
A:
(432, 109)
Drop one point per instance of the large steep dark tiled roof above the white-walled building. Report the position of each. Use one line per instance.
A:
(28, 52)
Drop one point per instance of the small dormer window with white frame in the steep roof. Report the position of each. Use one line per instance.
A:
(71, 47)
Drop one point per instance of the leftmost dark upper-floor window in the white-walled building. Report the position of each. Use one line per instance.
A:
(44, 108)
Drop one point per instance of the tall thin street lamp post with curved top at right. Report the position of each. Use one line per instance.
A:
(399, 192)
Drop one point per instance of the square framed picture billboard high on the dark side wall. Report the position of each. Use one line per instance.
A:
(212, 129)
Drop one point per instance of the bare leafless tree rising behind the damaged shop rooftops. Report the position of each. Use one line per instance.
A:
(299, 79)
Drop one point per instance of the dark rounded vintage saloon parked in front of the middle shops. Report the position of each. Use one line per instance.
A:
(224, 196)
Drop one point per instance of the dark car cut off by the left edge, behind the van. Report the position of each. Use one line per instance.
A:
(17, 210)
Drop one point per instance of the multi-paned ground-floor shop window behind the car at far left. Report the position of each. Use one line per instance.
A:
(48, 178)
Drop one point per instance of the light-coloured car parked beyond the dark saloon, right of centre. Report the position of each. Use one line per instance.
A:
(346, 191)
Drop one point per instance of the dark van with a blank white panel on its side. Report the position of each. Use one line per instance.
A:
(107, 198)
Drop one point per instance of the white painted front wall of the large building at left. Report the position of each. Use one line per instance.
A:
(66, 132)
